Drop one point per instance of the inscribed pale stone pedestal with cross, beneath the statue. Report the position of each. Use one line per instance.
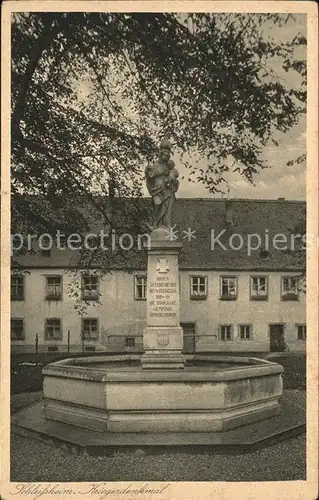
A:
(163, 336)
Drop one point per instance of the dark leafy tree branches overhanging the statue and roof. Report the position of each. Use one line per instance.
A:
(93, 93)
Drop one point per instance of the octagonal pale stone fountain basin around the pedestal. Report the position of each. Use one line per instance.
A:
(114, 393)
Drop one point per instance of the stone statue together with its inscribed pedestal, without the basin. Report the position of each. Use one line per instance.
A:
(163, 336)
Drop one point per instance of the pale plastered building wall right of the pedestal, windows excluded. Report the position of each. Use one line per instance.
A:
(212, 312)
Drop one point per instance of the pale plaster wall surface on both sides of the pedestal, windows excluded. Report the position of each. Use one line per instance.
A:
(121, 315)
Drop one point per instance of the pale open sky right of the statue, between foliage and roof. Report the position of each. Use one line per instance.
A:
(279, 179)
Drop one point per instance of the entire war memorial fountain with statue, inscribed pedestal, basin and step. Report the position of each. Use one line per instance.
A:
(163, 392)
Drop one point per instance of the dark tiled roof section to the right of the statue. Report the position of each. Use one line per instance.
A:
(263, 217)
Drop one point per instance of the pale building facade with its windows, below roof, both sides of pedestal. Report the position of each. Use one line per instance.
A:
(220, 311)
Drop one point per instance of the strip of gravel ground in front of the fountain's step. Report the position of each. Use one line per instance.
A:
(35, 461)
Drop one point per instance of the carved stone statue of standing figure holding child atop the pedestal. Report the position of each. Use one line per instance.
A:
(162, 184)
